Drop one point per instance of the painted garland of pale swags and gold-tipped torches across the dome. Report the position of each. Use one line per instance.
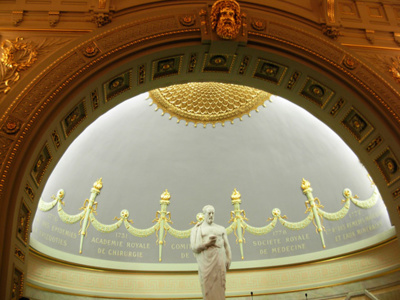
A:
(239, 225)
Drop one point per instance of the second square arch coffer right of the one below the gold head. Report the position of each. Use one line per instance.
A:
(316, 92)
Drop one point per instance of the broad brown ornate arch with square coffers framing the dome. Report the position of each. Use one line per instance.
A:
(69, 90)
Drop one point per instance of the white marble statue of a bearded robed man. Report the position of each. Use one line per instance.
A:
(210, 244)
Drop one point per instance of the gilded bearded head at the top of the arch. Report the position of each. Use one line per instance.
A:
(225, 18)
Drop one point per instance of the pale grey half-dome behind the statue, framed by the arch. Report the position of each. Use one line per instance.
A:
(277, 159)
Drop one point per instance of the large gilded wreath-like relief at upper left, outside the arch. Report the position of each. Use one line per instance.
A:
(17, 56)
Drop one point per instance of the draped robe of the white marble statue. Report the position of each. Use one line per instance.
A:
(212, 267)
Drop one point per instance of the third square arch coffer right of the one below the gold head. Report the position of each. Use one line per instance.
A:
(357, 124)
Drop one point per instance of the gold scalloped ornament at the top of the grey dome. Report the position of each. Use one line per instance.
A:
(208, 102)
